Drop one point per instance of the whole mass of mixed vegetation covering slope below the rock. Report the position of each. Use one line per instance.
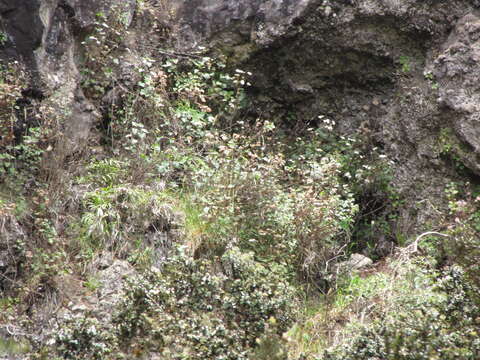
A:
(192, 227)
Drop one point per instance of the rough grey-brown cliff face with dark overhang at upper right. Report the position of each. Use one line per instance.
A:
(401, 72)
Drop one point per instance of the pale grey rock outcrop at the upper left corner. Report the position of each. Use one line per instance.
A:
(47, 36)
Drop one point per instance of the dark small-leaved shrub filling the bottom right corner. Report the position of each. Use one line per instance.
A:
(443, 326)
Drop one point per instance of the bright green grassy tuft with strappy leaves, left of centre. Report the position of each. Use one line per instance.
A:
(116, 216)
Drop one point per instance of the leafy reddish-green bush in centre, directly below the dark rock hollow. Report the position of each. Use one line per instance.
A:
(292, 211)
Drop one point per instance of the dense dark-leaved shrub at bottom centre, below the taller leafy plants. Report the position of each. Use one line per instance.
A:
(193, 309)
